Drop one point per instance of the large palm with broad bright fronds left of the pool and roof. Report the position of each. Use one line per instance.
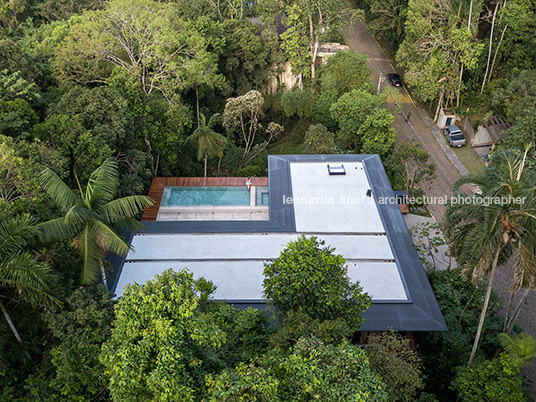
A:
(93, 217)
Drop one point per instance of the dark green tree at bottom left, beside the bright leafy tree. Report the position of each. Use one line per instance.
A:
(77, 334)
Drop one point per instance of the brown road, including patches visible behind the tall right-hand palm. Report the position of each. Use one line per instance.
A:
(421, 128)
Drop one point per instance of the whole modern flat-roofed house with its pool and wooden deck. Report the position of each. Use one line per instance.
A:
(224, 231)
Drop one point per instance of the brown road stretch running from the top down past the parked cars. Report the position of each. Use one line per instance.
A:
(419, 126)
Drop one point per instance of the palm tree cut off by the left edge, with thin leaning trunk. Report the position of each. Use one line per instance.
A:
(22, 277)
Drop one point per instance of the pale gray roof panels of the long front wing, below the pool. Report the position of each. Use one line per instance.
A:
(234, 261)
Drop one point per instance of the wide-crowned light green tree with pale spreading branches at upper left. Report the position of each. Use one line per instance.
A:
(143, 37)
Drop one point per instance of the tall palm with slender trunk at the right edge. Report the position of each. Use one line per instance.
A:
(483, 234)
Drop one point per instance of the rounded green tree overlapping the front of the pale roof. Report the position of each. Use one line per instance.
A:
(310, 278)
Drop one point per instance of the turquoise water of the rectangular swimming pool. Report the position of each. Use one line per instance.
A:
(212, 195)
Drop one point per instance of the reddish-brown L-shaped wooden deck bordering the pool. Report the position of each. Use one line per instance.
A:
(157, 188)
